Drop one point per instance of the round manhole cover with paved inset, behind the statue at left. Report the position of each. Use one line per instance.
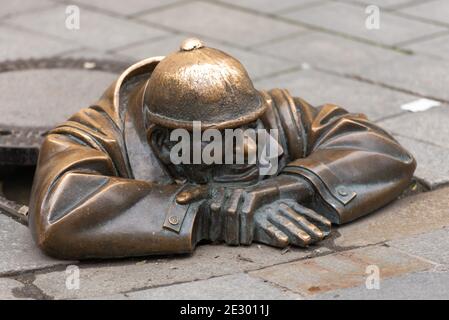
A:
(36, 95)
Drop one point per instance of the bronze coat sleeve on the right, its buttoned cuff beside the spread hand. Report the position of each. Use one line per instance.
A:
(355, 166)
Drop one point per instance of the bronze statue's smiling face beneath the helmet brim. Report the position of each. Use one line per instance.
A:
(219, 171)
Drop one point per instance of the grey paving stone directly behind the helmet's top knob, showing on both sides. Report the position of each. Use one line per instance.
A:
(256, 64)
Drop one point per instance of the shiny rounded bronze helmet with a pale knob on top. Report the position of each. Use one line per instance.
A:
(200, 83)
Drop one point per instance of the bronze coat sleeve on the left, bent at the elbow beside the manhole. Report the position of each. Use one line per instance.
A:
(85, 203)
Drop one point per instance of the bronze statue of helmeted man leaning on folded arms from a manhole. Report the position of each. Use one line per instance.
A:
(105, 185)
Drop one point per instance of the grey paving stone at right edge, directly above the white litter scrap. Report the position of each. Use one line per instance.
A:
(417, 73)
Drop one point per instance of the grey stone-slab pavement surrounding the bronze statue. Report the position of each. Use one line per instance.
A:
(320, 50)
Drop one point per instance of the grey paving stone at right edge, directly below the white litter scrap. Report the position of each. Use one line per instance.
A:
(430, 126)
